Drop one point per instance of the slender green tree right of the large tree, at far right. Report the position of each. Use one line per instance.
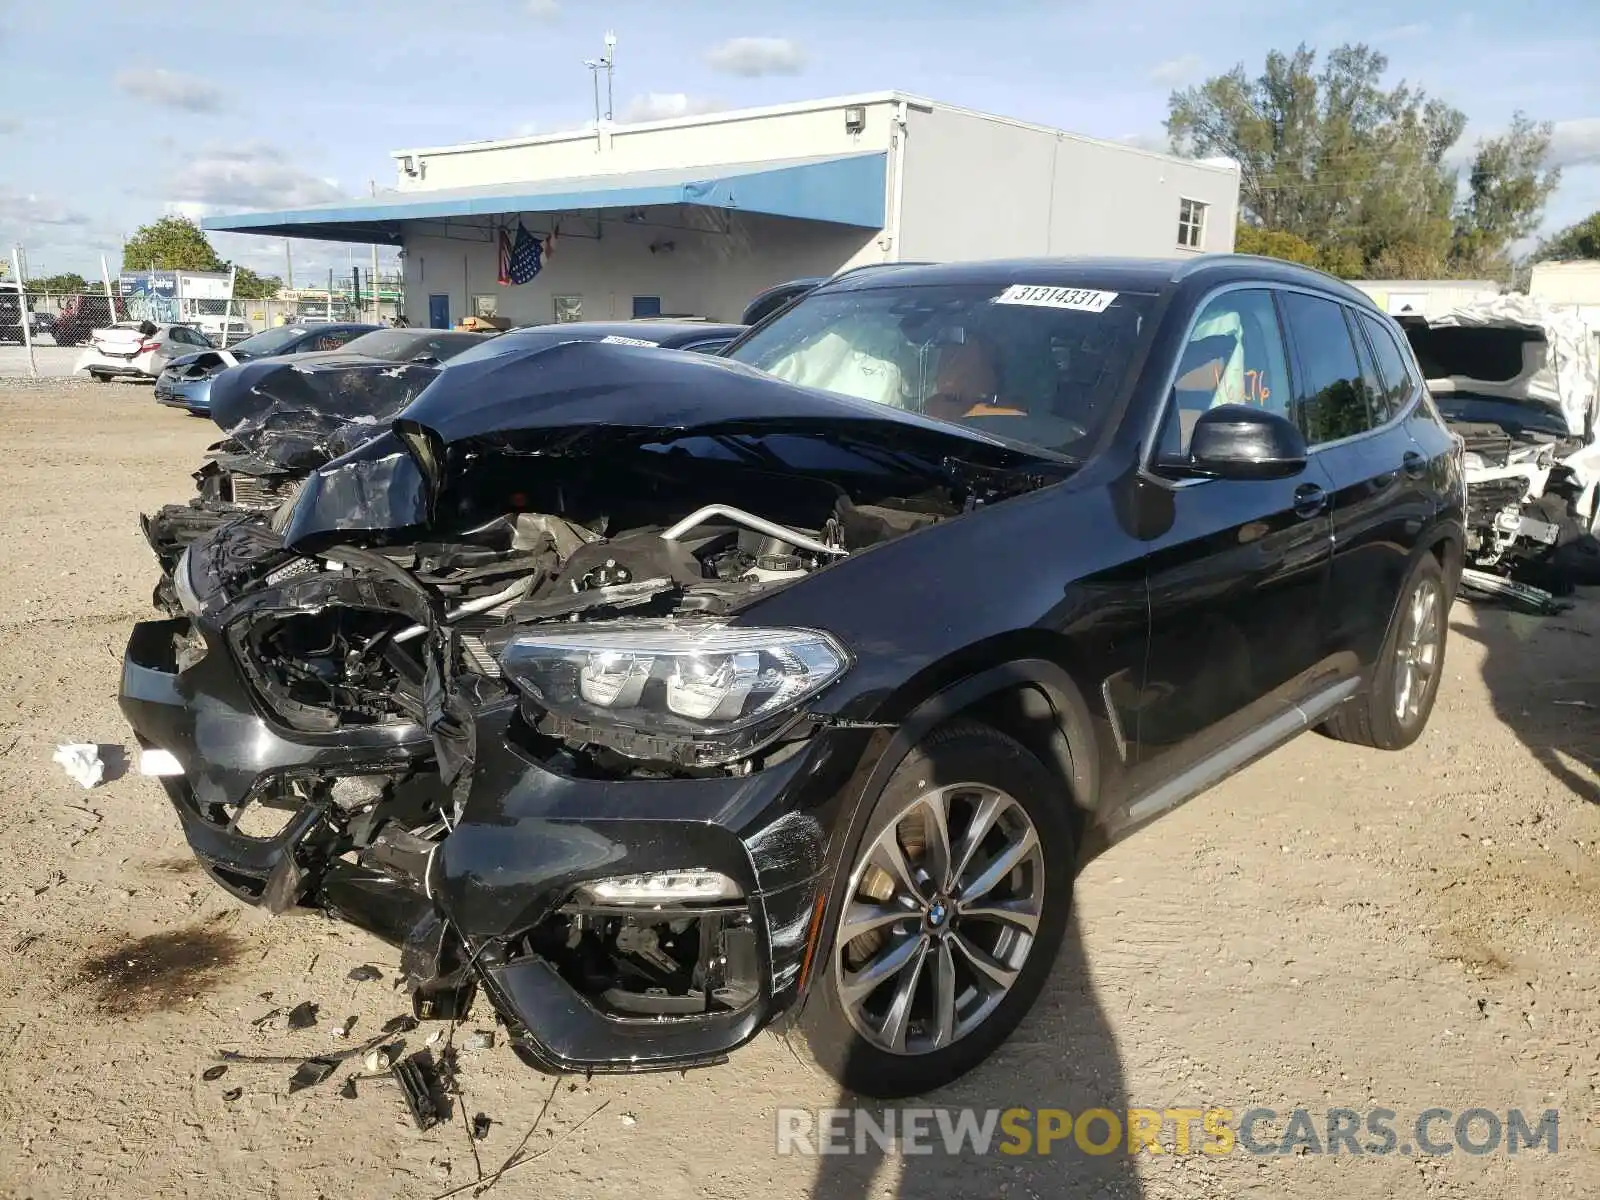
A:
(1506, 193)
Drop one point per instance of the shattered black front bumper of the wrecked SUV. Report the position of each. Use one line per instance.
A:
(516, 862)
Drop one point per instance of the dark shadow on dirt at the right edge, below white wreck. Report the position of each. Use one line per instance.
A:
(1543, 676)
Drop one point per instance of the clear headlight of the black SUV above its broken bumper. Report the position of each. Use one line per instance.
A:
(674, 679)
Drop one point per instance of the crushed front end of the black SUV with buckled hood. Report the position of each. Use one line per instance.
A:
(500, 692)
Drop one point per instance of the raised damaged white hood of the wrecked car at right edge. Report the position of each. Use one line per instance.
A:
(1514, 348)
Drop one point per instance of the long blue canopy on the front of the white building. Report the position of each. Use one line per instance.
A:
(836, 190)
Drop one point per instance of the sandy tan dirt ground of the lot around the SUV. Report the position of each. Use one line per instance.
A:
(1330, 929)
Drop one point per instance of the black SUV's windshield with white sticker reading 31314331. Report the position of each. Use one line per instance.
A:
(1033, 364)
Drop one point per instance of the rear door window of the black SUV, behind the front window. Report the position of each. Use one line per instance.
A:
(1330, 391)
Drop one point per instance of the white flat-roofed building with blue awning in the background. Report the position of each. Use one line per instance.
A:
(698, 215)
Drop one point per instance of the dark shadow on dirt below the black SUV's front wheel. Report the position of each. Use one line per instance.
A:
(1063, 1057)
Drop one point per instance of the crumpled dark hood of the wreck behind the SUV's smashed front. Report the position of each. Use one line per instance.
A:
(300, 412)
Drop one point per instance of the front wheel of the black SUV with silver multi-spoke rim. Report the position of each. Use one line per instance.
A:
(978, 766)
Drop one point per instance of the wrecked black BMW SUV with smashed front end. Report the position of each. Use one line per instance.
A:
(660, 698)
